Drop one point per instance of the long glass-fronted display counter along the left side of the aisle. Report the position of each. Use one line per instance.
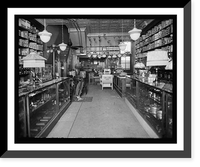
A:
(40, 107)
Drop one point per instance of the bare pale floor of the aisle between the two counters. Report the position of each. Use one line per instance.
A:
(107, 116)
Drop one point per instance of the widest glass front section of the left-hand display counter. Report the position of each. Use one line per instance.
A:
(42, 108)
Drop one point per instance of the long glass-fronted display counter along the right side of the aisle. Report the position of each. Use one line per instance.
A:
(154, 103)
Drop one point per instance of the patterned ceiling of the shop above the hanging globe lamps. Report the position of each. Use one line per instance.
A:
(99, 25)
